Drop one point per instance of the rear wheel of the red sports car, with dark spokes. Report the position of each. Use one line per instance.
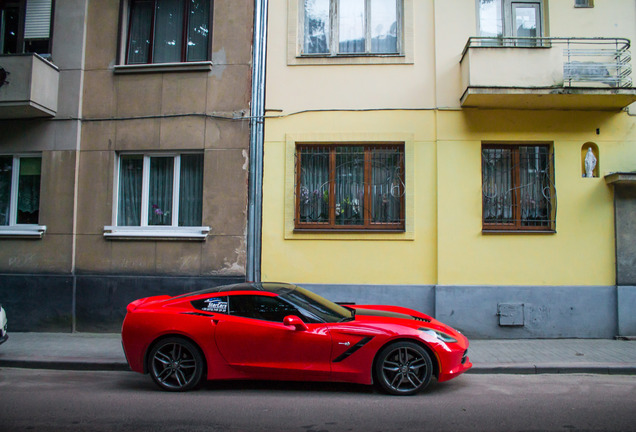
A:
(176, 364)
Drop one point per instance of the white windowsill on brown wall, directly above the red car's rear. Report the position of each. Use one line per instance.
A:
(156, 233)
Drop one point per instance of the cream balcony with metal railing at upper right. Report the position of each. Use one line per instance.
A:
(547, 73)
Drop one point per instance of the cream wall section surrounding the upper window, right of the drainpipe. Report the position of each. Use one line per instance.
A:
(352, 86)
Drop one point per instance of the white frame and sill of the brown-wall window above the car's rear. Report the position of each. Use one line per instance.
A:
(165, 232)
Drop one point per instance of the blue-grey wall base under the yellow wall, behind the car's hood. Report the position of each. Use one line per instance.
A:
(546, 312)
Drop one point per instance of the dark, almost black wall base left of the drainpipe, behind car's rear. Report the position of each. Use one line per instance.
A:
(48, 303)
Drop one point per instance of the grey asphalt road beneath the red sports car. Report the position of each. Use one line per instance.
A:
(44, 400)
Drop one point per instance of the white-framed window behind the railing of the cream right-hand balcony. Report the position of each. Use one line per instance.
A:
(510, 18)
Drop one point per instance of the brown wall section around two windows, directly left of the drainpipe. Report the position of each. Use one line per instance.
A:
(126, 99)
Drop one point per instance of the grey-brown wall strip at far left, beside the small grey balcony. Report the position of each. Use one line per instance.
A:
(57, 141)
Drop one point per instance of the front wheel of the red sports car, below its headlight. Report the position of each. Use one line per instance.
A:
(403, 368)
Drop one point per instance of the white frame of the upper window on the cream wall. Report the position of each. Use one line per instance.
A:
(334, 29)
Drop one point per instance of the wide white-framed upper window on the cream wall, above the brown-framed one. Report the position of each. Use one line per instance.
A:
(351, 27)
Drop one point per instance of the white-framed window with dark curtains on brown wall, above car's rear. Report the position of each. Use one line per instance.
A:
(160, 190)
